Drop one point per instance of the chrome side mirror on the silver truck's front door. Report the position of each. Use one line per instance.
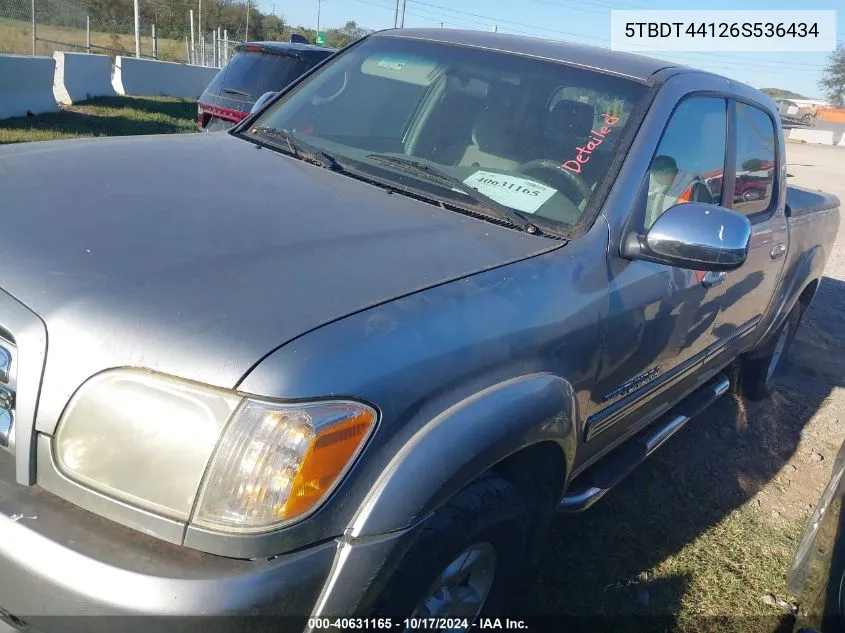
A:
(694, 236)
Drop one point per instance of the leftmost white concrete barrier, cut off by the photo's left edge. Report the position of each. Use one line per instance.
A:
(26, 85)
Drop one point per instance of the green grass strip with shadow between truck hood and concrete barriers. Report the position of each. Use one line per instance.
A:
(107, 116)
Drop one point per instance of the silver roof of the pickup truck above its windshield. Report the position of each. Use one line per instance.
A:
(628, 64)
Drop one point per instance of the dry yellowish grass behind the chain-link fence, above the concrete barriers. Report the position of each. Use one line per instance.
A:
(16, 37)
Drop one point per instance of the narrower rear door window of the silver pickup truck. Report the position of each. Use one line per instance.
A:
(755, 160)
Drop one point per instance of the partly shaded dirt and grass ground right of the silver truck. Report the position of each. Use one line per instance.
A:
(701, 536)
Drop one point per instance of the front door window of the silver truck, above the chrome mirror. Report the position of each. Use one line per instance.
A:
(689, 163)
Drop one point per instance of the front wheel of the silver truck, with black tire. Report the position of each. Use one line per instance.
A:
(465, 563)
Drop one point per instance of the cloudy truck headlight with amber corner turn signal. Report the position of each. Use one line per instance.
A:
(191, 452)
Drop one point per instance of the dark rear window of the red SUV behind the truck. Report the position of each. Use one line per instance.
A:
(255, 73)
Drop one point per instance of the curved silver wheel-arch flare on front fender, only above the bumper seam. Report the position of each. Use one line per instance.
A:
(463, 442)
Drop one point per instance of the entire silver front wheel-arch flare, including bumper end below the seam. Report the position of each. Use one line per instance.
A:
(434, 464)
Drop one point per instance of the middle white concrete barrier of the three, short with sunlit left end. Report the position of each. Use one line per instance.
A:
(80, 76)
